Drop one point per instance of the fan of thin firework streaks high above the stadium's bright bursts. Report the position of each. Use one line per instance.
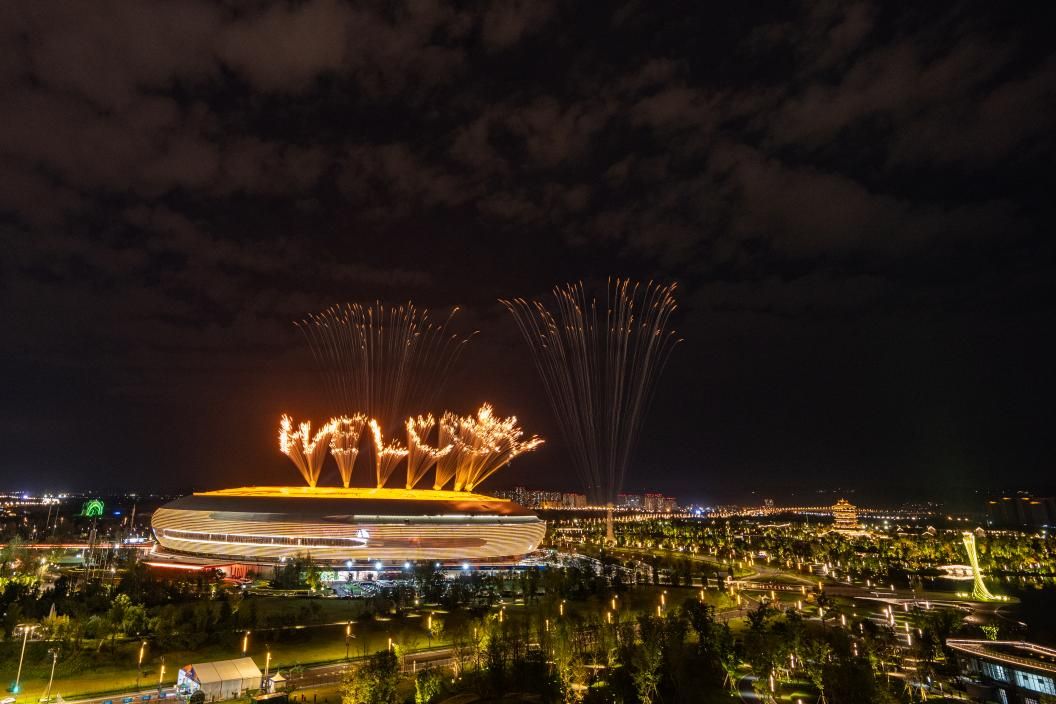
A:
(378, 359)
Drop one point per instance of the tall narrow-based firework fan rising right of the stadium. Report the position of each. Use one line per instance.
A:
(599, 369)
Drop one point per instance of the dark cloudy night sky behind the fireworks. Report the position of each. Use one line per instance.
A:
(855, 200)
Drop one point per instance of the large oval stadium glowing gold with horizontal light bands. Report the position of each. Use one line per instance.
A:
(359, 529)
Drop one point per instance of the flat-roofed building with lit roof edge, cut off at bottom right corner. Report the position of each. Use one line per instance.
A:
(1007, 672)
